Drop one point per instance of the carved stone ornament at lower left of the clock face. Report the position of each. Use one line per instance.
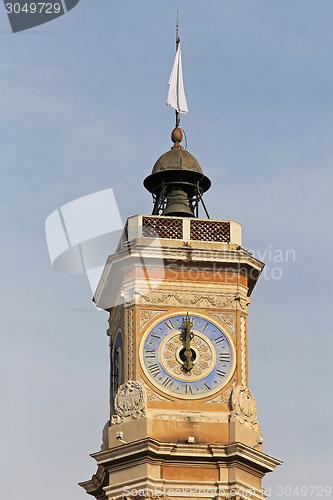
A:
(131, 400)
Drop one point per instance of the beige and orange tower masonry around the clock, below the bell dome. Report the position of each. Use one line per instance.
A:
(156, 442)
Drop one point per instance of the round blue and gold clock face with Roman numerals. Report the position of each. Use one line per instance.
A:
(187, 357)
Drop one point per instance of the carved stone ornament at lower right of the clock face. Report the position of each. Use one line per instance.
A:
(244, 406)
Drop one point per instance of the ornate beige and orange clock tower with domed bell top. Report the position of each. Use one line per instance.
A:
(183, 421)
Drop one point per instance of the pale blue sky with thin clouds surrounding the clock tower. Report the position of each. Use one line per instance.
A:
(83, 109)
